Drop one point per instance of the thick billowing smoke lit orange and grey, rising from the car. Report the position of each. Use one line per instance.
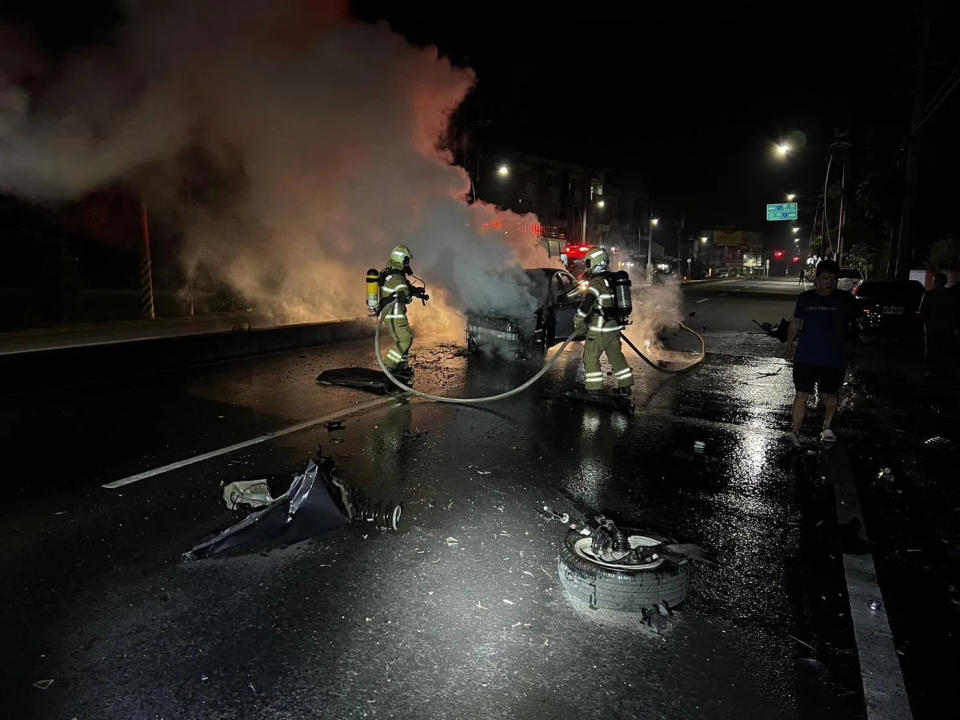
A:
(293, 147)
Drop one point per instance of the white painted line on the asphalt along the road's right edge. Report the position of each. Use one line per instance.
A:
(881, 675)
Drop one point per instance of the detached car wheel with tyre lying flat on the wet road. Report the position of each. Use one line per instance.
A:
(615, 586)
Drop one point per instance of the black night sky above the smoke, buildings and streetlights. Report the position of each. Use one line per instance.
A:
(686, 96)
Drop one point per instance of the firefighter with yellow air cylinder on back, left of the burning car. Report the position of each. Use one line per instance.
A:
(396, 293)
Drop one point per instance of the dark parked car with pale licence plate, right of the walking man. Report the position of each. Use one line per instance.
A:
(889, 308)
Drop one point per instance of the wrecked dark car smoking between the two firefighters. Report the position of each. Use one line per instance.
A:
(560, 295)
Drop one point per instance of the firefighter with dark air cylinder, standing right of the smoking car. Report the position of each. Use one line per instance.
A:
(599, 317)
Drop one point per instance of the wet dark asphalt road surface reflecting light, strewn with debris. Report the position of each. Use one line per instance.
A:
(460, 613)
